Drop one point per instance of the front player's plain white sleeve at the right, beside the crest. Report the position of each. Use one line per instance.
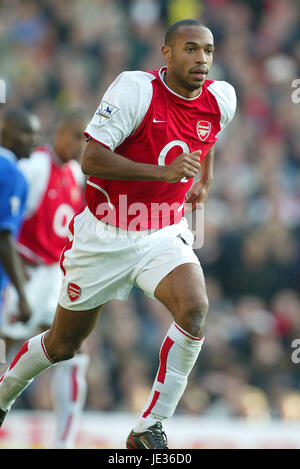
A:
(226, 98)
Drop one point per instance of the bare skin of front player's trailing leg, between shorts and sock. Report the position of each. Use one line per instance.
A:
(68, 331)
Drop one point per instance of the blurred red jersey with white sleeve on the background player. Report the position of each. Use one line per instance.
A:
(55, 195)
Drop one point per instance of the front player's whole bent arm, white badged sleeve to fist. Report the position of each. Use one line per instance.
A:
(119, 115)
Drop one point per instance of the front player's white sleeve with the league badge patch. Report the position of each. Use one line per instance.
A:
(122, 109)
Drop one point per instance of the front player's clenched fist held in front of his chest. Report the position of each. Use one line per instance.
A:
(185, 165)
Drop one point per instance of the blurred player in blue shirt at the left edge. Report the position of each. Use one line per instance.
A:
(17, 137)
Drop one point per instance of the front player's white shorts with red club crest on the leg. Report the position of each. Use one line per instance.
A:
(103, 263)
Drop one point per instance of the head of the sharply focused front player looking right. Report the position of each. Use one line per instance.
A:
(189, 59)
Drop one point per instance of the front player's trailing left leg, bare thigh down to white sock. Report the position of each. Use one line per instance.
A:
(68, 331)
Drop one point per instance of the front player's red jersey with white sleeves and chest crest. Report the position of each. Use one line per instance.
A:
(145, 121)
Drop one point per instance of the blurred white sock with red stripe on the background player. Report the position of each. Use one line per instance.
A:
(69, 393)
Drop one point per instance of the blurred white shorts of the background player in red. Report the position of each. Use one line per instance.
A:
(42, 292)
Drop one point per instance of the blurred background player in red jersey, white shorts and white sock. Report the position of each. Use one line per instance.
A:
(55, 183)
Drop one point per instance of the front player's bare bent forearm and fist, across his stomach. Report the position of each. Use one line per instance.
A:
(101, 162)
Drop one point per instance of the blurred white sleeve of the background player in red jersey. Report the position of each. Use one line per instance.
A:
(36, 170)
